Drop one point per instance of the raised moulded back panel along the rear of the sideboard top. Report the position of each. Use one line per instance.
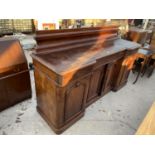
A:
(69, 39)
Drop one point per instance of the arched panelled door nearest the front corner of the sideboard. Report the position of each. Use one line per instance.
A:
(75, 98)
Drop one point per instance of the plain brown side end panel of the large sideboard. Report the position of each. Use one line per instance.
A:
(46, 96)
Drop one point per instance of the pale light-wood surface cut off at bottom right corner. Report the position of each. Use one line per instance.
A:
(147, 126)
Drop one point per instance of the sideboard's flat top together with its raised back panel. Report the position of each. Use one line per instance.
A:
(65, 51)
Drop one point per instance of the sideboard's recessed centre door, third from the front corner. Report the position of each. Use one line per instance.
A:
(108, 78)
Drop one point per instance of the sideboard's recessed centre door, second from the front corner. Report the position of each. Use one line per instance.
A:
(95, 83)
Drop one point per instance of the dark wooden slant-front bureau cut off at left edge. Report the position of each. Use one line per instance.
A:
(14, 74)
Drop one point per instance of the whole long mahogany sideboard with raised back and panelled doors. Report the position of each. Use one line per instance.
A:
(75, 67)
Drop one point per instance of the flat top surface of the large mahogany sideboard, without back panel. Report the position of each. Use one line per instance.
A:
(63, 62)
